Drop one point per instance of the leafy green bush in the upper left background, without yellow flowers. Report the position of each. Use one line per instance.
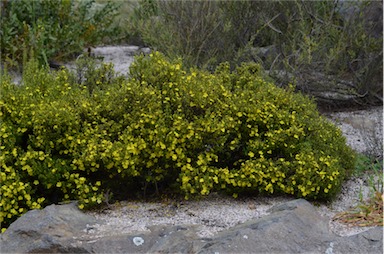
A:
(53, 29)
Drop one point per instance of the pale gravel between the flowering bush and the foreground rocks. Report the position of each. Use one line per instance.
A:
(216, 213)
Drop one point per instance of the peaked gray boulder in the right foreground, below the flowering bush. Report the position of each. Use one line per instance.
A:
(293, 227)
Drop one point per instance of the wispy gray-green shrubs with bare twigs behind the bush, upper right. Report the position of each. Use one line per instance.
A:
(323, 47)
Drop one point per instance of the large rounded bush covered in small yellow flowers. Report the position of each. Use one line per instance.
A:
(163, 129)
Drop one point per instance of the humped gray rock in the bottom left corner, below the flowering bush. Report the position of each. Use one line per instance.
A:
(46, 231)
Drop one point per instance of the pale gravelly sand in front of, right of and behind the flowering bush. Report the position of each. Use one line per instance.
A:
(364, 133)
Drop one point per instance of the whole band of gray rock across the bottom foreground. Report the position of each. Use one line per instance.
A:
(292, 227)
